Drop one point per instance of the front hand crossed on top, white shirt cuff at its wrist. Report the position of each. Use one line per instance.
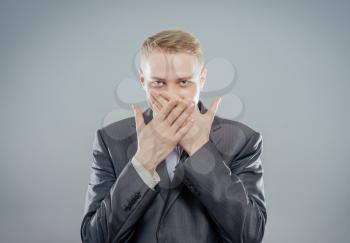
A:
(160, 136)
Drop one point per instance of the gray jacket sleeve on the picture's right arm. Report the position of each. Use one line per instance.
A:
(233, 196)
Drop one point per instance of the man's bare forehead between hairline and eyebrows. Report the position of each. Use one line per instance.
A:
(165, 65)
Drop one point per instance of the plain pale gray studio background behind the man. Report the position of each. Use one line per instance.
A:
(60, 64)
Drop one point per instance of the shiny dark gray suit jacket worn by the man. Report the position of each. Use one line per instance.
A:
(217, 194)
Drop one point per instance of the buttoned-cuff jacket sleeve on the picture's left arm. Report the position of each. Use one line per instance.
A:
(114, 200)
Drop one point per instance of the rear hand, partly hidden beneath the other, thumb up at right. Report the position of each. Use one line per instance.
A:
(198, 135)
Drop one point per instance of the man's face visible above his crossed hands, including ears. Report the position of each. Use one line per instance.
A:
(176, 73)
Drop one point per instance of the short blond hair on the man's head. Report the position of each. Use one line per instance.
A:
(172, 41)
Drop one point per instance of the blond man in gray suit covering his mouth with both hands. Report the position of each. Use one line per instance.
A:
(178, 172)
